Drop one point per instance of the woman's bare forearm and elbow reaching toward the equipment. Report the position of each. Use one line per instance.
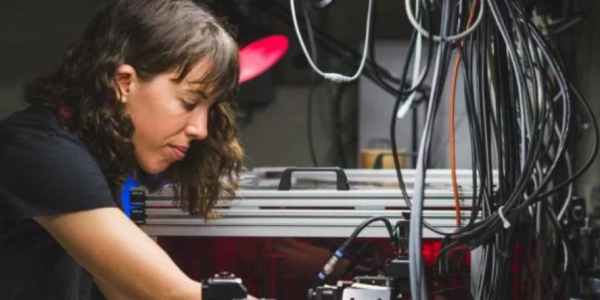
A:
(124, 261)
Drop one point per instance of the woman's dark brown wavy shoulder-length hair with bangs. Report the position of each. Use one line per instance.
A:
(153, 36)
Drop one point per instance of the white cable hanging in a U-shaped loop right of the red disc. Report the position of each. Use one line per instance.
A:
(334, 76)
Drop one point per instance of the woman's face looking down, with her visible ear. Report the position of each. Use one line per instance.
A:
(167, 114)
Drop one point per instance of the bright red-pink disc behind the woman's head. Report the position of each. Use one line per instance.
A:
(258, 56)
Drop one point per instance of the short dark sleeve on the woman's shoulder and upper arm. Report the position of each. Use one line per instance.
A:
(48, 172)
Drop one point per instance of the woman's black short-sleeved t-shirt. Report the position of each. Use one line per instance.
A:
(44, 170)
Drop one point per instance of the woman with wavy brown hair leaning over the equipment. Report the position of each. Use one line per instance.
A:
(146, 91)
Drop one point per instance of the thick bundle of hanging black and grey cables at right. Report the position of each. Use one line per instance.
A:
(520, 109)
